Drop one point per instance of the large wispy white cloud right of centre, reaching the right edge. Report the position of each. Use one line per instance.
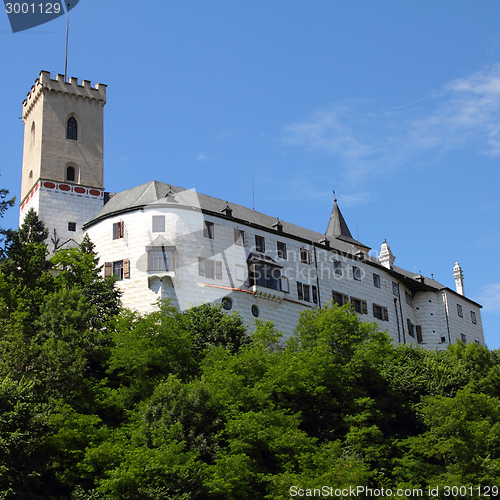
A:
(464, 113)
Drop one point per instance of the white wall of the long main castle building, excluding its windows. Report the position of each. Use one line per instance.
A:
(185, 287)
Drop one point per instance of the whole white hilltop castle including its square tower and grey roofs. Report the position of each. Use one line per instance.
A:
(162, 241)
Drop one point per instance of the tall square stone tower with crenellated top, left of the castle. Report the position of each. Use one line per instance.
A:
(62, 177)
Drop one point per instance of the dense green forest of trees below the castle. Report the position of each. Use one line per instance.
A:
(99, 402)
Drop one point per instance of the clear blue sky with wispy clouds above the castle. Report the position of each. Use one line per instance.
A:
(395, 105)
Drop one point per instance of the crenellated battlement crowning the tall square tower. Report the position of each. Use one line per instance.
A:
(59, 85)
